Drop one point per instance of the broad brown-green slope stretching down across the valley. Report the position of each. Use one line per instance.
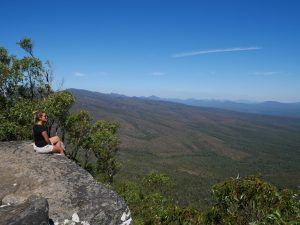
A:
(198, 146)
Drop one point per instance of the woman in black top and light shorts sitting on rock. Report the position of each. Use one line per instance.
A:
(42, 142)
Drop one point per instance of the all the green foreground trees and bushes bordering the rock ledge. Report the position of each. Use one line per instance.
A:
(25, 86)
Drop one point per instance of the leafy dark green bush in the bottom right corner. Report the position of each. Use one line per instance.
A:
(251, 200)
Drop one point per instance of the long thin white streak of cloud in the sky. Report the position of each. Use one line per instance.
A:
(193, 53)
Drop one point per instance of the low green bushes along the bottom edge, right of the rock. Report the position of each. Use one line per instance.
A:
(236, 201)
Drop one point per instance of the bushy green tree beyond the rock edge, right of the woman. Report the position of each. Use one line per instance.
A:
(99, 140)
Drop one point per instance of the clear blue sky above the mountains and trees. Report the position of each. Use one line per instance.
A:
(246, 49)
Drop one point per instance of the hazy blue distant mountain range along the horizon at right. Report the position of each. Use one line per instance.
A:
(267, 108)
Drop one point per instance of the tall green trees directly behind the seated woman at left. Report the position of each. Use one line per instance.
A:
(25, 86)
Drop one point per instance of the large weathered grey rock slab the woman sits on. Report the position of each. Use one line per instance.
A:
(69, 190)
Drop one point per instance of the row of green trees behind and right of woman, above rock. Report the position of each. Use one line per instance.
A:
(25, 86)
